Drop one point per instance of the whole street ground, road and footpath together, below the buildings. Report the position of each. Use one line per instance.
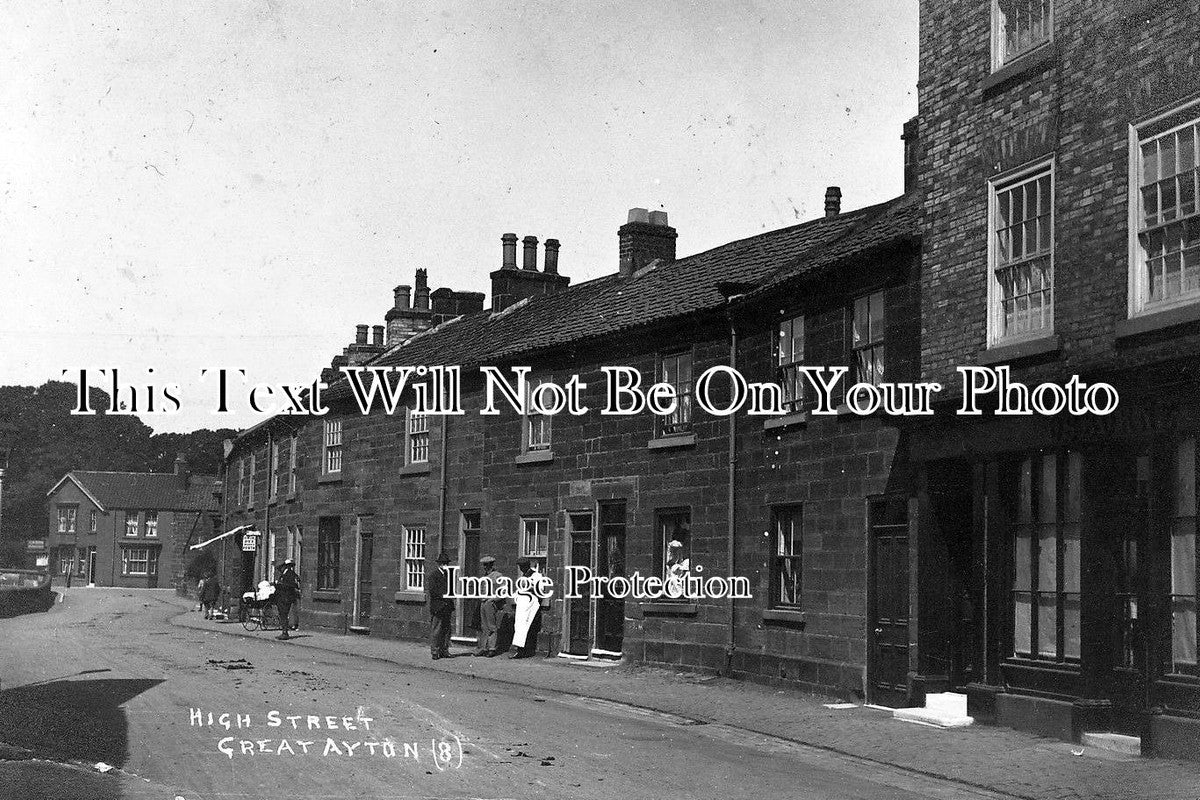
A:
(110, 679)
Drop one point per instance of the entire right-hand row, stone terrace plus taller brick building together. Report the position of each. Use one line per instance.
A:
(1043, 567)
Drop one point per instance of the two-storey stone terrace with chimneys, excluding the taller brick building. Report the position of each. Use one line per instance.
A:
(365, 502)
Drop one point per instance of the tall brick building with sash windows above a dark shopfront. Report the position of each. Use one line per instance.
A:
(1057, 560)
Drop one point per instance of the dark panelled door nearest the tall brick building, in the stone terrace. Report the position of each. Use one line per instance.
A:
(887, 521)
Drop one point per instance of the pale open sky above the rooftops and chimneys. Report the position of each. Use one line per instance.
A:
(199, 185)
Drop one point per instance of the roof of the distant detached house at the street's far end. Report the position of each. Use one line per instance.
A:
(155, 491)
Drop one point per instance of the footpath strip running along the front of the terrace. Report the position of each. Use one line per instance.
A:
(987, 757)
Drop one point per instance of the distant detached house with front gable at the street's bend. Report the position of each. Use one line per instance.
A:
(130, 530)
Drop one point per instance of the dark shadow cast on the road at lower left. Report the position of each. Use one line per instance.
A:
(74, 720)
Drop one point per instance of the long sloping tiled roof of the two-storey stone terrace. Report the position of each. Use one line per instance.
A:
(657, 294)
